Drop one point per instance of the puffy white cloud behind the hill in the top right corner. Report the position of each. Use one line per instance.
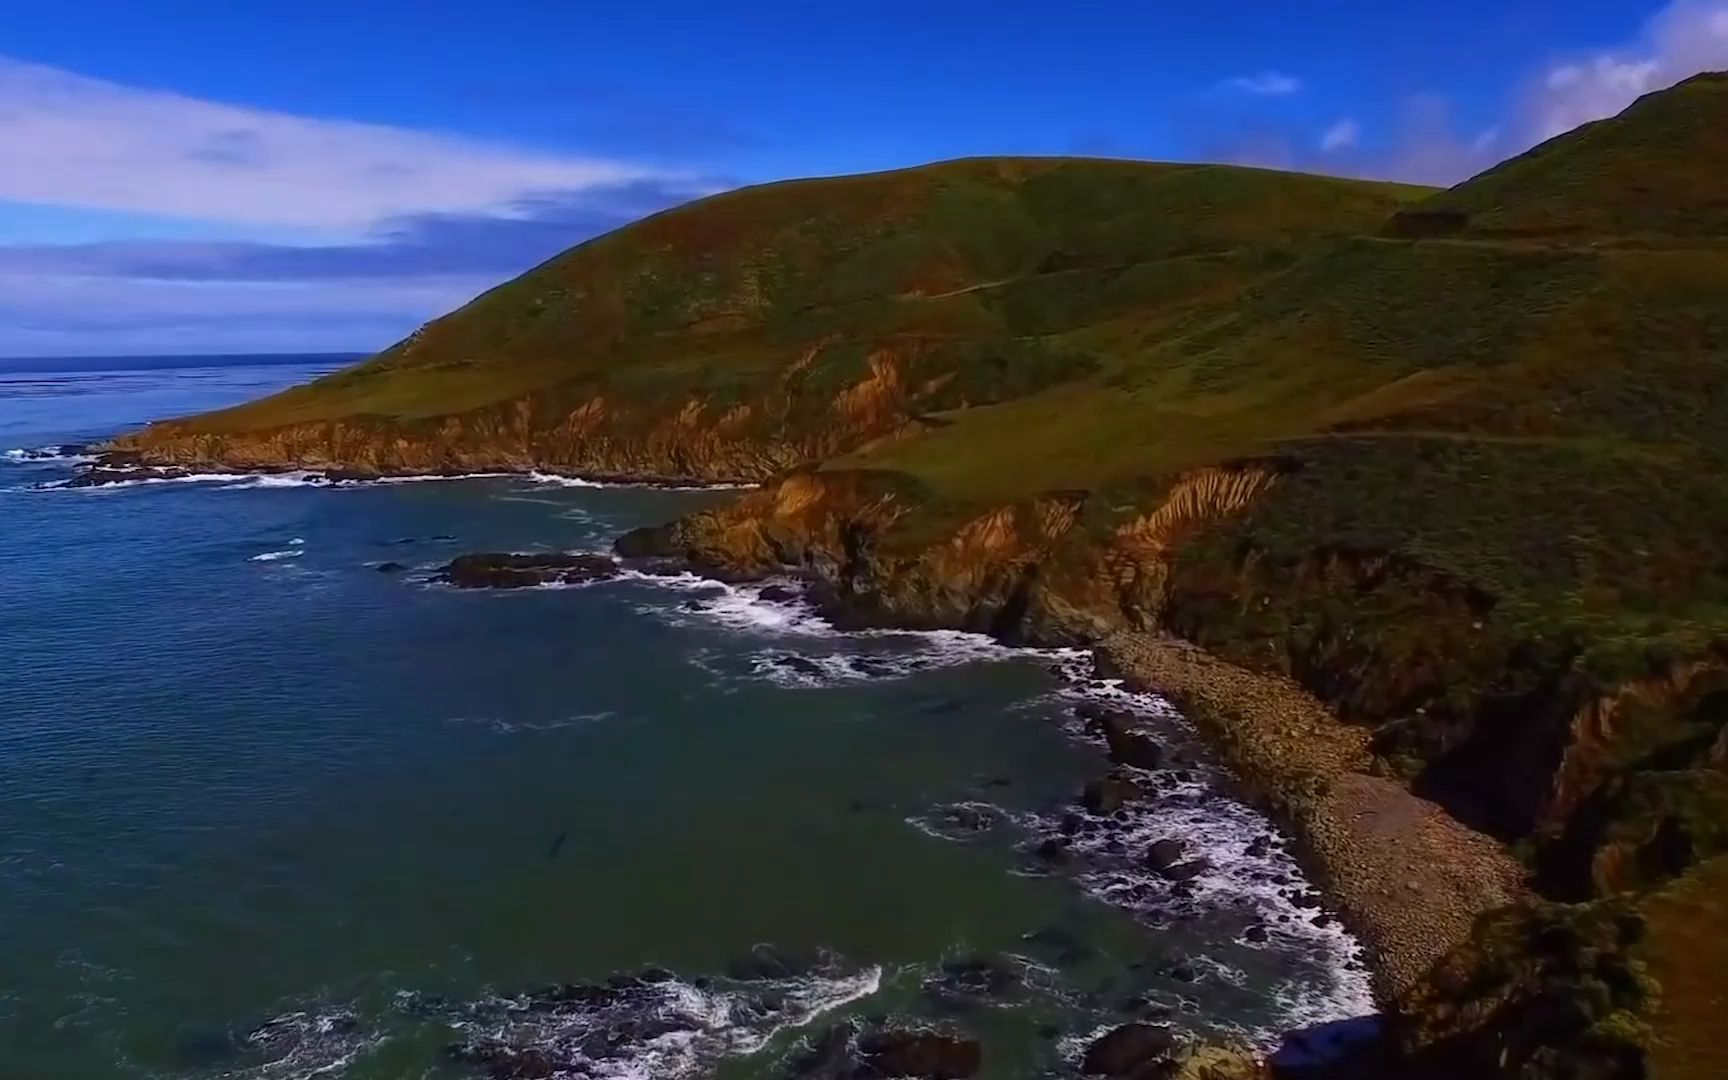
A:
(1684, 39)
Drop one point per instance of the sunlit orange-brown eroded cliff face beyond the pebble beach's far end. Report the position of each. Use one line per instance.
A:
(1029, 573)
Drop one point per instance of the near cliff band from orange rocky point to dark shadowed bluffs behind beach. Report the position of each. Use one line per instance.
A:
(1613, 787)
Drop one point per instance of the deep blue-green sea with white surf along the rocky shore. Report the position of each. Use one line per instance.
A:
(272, 813)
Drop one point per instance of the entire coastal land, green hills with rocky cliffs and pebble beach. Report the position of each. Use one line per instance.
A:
(1449, 471)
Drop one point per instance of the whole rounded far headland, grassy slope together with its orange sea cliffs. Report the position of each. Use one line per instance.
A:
(778, 326)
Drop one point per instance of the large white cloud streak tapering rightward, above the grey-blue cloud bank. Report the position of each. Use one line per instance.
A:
(73, 141)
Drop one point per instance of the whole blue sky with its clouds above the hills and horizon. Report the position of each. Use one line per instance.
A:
(203, 179)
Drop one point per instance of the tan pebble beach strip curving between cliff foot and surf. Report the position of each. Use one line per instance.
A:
(1409, 880)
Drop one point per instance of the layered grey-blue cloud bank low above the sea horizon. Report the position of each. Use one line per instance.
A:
(187, 296)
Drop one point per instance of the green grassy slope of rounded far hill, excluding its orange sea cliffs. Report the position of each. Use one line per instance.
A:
(979, 267)
